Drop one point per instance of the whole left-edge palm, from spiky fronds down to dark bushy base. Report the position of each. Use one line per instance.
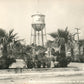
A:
(5, 40)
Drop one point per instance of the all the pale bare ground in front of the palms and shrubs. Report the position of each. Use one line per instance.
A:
(74, 74)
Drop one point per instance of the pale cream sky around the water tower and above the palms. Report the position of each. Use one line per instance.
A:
(16, 14)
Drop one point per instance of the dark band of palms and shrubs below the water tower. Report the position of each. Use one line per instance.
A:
(33, 55)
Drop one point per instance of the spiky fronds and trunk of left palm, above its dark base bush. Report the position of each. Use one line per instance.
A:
(6, 41)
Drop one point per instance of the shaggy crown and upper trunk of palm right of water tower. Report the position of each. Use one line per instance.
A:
(61, 38)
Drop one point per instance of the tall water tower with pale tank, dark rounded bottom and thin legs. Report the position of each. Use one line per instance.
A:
(38, 32)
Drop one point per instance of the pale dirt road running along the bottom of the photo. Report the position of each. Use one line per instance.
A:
(65, 77)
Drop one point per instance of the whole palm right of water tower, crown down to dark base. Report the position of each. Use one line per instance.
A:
(61, 38)
